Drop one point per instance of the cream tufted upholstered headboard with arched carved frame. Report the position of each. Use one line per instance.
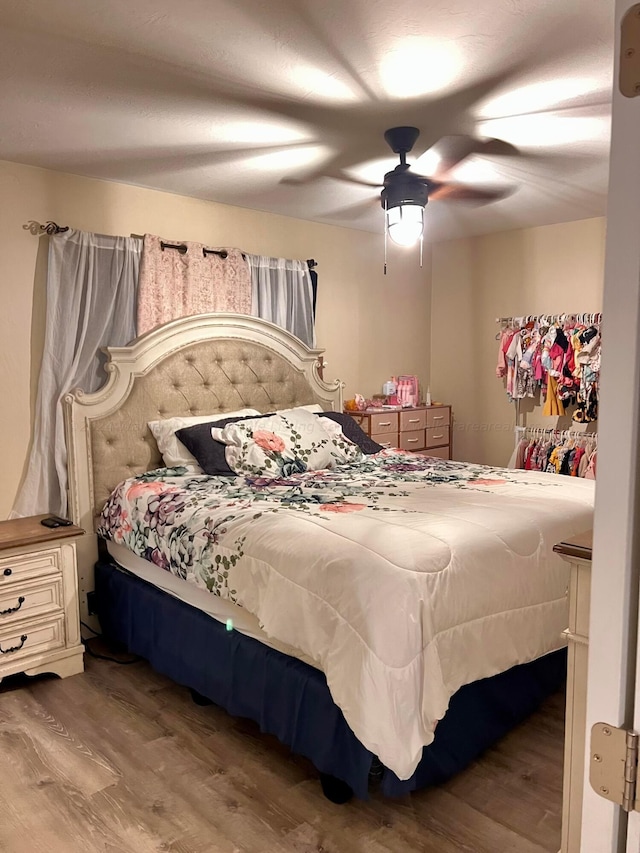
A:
(205, 364)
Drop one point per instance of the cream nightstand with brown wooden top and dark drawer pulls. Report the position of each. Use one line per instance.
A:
(39, 616)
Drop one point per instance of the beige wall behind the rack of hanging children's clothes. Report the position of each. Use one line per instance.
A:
(551, 269)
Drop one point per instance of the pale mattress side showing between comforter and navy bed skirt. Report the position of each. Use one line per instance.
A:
(220, 609)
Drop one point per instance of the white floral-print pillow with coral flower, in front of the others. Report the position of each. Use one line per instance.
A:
(291, 442)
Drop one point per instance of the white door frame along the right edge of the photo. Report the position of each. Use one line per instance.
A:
(613, 641)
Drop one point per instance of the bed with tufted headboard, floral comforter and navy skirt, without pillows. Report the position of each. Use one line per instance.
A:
(388, 618)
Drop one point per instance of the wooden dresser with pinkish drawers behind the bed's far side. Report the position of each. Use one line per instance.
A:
(423, 429)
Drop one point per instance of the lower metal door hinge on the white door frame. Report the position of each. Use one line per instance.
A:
(613, 770)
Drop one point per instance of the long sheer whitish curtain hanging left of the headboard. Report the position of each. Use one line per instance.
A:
(91, 303)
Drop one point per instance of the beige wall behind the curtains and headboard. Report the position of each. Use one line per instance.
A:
(371, 326)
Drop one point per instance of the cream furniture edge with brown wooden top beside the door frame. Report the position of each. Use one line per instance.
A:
(577, 552)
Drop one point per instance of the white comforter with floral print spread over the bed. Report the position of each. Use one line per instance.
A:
(404, 577)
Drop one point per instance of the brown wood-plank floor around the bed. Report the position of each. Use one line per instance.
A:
(120, 759)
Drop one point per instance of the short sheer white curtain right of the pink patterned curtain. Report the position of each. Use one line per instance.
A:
(282, 293)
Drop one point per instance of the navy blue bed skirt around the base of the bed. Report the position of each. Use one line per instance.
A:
(291, 700)
